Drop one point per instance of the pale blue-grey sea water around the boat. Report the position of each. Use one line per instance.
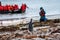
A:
(51, 7)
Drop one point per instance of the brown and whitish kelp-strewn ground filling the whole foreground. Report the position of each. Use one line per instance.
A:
(47, 30)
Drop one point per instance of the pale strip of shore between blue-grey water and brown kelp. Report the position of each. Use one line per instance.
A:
(24, 20)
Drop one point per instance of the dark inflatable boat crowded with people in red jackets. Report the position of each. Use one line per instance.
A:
(5, 9)
